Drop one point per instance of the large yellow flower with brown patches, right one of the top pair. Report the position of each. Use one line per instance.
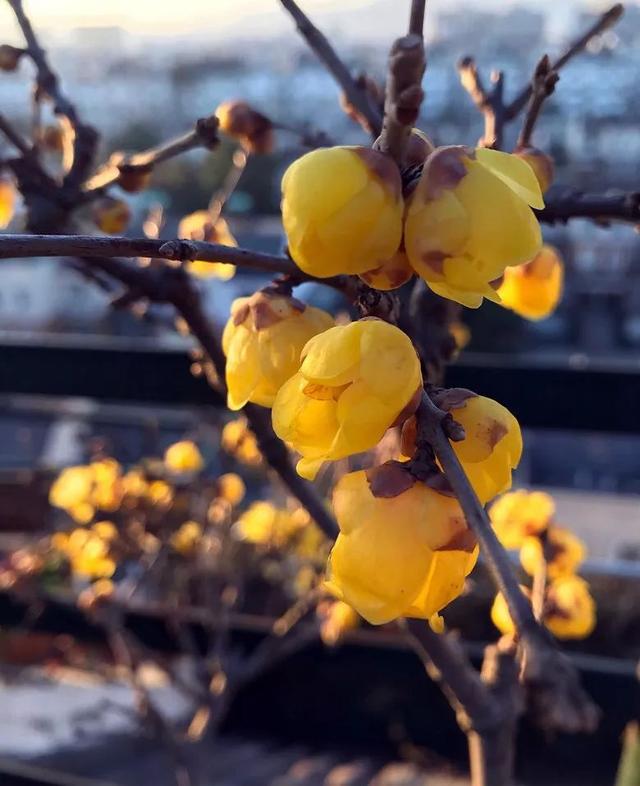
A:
(469, 218)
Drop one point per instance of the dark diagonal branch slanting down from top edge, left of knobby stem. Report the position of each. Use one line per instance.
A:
(319, 43)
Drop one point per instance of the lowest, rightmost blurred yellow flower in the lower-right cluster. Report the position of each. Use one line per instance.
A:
(570, 610)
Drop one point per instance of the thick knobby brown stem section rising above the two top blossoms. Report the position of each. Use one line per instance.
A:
(404, 95)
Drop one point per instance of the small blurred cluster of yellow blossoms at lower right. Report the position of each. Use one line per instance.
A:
(526, 521)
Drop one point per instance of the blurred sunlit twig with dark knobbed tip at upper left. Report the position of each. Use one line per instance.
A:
(204, 134)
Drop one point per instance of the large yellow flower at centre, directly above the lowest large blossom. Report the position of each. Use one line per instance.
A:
(355, 382)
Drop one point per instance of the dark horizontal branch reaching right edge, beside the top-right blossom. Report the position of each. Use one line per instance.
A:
(563, 204)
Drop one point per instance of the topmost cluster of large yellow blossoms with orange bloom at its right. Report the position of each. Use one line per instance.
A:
(465, 224)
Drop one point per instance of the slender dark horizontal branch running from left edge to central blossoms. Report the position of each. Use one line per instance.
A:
(21, 246)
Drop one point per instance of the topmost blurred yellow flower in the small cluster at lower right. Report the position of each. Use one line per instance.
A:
(519, 514)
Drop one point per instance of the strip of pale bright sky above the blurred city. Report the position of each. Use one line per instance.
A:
(183, 16)
